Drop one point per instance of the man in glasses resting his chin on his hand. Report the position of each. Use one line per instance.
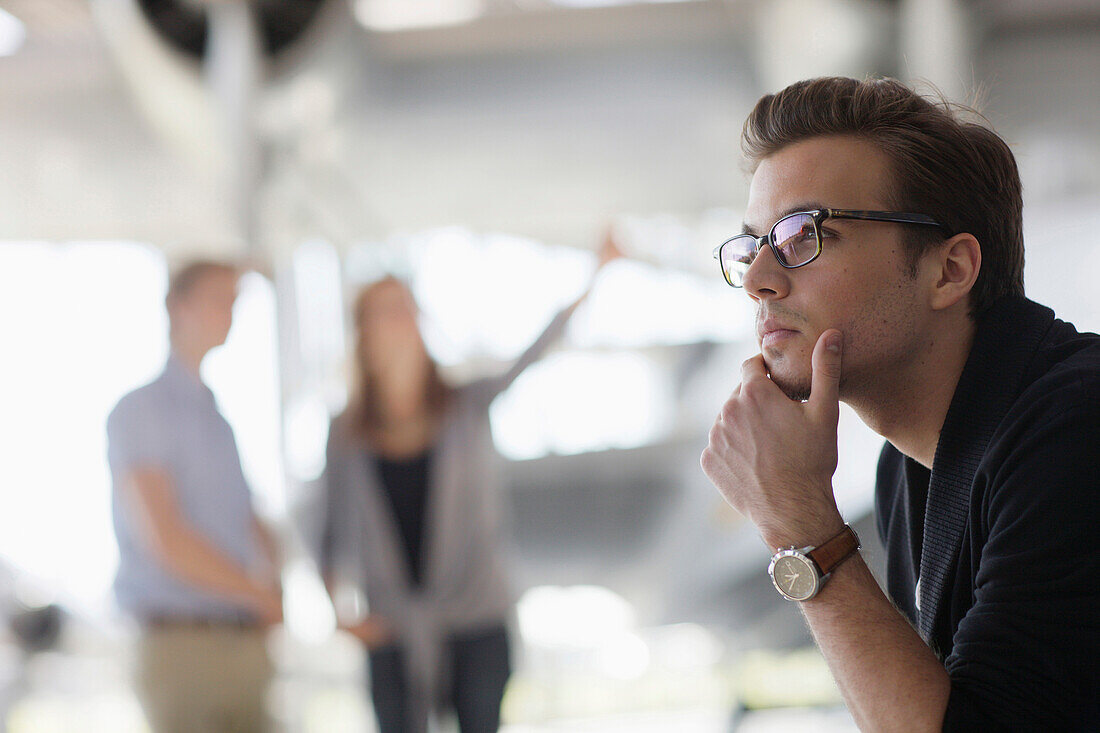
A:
(885, 255)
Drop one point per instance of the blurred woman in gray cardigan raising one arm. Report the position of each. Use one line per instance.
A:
(412, 519)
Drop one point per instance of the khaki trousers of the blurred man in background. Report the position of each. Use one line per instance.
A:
(197, 680)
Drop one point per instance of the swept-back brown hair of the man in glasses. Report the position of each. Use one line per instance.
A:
(958, 171)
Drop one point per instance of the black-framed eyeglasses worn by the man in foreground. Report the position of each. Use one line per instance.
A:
(796, 240)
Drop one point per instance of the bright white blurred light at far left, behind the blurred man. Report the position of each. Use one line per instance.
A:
(83, 357)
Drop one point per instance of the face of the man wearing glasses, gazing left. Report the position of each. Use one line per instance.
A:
(861, 283)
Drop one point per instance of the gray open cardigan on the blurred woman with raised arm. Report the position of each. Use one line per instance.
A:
(465, 585)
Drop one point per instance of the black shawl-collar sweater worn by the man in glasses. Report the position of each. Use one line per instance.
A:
(1002, 540)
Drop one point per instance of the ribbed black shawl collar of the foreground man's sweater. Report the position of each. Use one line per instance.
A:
(1006, 341)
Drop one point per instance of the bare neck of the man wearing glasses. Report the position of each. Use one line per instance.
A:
(910, 411)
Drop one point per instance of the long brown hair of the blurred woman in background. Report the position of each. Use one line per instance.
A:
(362, 415)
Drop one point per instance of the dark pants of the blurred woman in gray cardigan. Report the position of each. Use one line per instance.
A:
(480, 669)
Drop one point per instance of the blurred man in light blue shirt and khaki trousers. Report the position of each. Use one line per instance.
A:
(197, 570)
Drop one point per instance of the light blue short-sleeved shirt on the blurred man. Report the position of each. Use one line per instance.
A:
(173, 424)
